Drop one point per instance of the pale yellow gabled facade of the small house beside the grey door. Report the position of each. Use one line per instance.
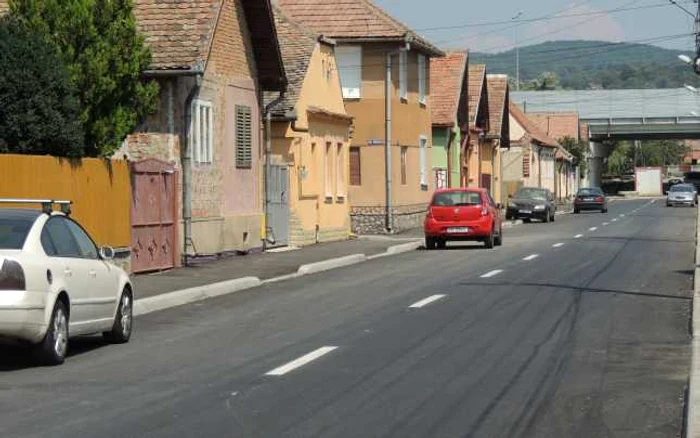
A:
(314, 202)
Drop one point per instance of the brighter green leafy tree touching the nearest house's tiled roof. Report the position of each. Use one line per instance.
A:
(105, 55)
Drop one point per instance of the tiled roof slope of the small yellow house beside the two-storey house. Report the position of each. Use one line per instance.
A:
(297, 45)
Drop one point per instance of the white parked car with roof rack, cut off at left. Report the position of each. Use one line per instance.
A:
(56, 284)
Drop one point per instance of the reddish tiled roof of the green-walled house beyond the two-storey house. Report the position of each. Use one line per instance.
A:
(447, 77)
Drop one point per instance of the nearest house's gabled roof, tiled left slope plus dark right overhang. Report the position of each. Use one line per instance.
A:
(180, 34)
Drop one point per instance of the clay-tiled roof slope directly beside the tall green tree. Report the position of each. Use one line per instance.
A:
(179, 32)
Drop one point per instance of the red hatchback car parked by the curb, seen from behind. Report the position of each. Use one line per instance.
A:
(466, 214)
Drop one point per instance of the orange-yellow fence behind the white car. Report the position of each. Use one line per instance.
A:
(100, 191)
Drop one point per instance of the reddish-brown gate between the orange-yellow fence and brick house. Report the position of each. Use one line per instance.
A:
(153, 216)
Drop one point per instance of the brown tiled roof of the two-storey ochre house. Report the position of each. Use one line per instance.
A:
(358, 20)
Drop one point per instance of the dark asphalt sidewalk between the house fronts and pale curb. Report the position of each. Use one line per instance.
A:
(261, 265)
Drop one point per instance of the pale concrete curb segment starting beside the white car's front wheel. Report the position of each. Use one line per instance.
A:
(177, 298)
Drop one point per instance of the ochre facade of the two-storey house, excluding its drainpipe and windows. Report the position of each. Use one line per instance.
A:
(410, 121)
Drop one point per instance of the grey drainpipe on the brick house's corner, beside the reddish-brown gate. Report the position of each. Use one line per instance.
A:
(187, 167)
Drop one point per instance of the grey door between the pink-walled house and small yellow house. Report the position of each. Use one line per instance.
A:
(278, 215)
